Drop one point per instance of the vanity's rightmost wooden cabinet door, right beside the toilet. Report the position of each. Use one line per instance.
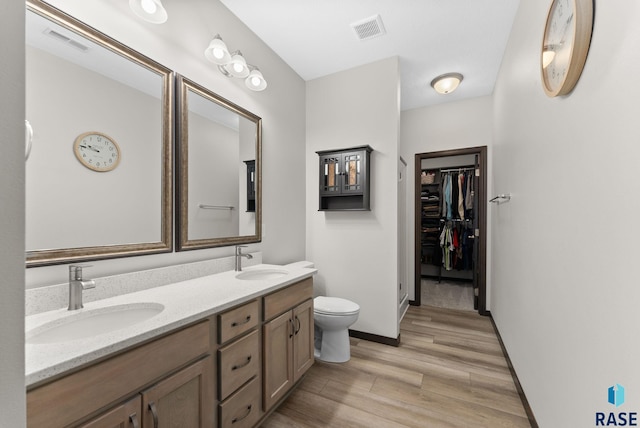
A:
(302, 339)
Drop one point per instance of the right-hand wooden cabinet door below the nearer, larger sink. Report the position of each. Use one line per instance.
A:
(182, 400)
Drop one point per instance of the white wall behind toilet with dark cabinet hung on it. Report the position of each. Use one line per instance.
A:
(355, 252)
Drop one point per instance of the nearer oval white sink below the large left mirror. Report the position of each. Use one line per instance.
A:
(89, 323)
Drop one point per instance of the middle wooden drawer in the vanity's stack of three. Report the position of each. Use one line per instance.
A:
(238, 362)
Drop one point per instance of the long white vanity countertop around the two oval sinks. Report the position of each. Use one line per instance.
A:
(184, 302)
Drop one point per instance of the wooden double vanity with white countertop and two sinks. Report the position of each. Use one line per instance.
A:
(219, 350)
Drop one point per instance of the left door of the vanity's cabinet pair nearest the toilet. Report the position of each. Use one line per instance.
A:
(277, 356)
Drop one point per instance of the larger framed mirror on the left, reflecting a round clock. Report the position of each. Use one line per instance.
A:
(99, 174)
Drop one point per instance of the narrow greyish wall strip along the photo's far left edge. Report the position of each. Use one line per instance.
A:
(12, 87)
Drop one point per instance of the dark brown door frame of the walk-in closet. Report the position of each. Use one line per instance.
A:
(481, 151)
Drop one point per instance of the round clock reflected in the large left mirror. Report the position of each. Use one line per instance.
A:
(97, 151)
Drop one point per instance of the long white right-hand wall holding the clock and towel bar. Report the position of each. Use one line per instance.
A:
(564, 286)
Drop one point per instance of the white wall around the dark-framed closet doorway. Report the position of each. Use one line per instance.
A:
(454, 125)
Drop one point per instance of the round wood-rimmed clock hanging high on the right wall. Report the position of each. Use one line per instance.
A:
(565, 45)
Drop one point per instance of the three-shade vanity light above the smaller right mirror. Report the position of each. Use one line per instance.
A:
(234, 64)
